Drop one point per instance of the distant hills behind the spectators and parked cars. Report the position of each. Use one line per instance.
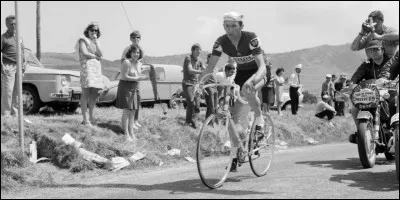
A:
(316, 61)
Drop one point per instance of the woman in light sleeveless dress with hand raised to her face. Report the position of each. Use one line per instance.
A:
(89, 54)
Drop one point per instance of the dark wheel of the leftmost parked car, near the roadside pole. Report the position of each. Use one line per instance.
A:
(30, 100)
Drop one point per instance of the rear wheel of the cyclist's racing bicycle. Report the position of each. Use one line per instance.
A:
(262, 147)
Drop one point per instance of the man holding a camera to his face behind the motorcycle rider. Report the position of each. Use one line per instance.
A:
(373, 29)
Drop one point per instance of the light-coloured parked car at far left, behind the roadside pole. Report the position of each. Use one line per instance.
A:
(43, 86)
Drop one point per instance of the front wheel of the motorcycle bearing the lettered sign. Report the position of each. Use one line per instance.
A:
(366, 144)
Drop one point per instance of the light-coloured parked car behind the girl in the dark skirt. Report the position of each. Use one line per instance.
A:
(168, 81)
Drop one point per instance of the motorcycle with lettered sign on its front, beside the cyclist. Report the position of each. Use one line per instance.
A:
(374, 133)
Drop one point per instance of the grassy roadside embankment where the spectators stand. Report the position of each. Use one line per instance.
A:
(106, 139)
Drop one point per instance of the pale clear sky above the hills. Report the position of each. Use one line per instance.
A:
(170, 28)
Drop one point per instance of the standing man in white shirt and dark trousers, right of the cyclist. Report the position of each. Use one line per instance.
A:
(295, 89)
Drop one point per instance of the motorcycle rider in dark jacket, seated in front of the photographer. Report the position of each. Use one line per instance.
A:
(370, 69)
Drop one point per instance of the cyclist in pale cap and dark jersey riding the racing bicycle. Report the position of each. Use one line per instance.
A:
(244, 48)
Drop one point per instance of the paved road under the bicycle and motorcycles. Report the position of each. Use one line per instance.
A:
(325, 171)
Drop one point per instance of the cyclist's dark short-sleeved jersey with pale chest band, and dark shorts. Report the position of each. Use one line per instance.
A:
(248, 47)
